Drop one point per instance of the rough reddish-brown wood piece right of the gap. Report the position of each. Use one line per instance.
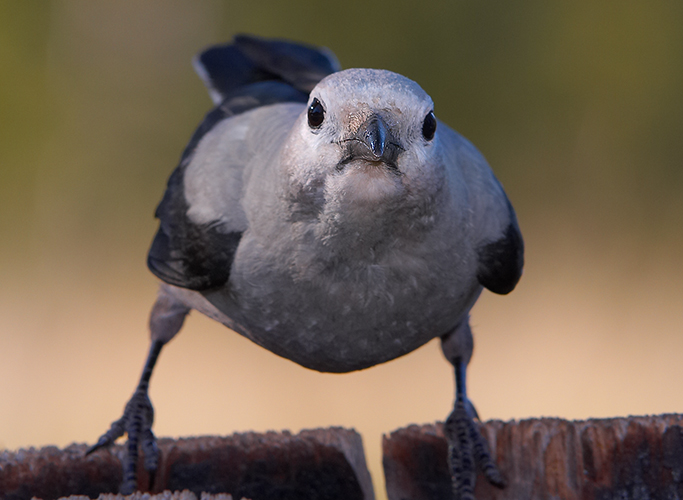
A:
(624, 458)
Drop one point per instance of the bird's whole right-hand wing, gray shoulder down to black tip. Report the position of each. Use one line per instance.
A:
(497, 239)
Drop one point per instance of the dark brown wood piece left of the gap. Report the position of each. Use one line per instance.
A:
(322, 463)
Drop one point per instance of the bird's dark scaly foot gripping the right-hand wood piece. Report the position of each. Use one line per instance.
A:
(468, 449)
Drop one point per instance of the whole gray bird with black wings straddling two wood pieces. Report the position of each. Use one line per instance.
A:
(329, 217)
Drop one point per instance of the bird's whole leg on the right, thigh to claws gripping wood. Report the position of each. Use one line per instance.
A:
(467, 448)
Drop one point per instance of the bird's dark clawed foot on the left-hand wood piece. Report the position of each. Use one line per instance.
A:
(136, 421)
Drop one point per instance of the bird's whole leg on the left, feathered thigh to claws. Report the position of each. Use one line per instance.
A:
(165, 321)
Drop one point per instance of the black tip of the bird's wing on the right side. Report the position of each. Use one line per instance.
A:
(501, 261)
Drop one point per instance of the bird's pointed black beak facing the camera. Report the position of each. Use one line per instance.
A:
(373, 141)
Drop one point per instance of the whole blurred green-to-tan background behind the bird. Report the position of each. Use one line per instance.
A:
(578, 107)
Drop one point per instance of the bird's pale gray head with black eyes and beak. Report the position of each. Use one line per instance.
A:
(366, 137)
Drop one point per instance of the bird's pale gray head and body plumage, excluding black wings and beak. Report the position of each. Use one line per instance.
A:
(343, 266)
